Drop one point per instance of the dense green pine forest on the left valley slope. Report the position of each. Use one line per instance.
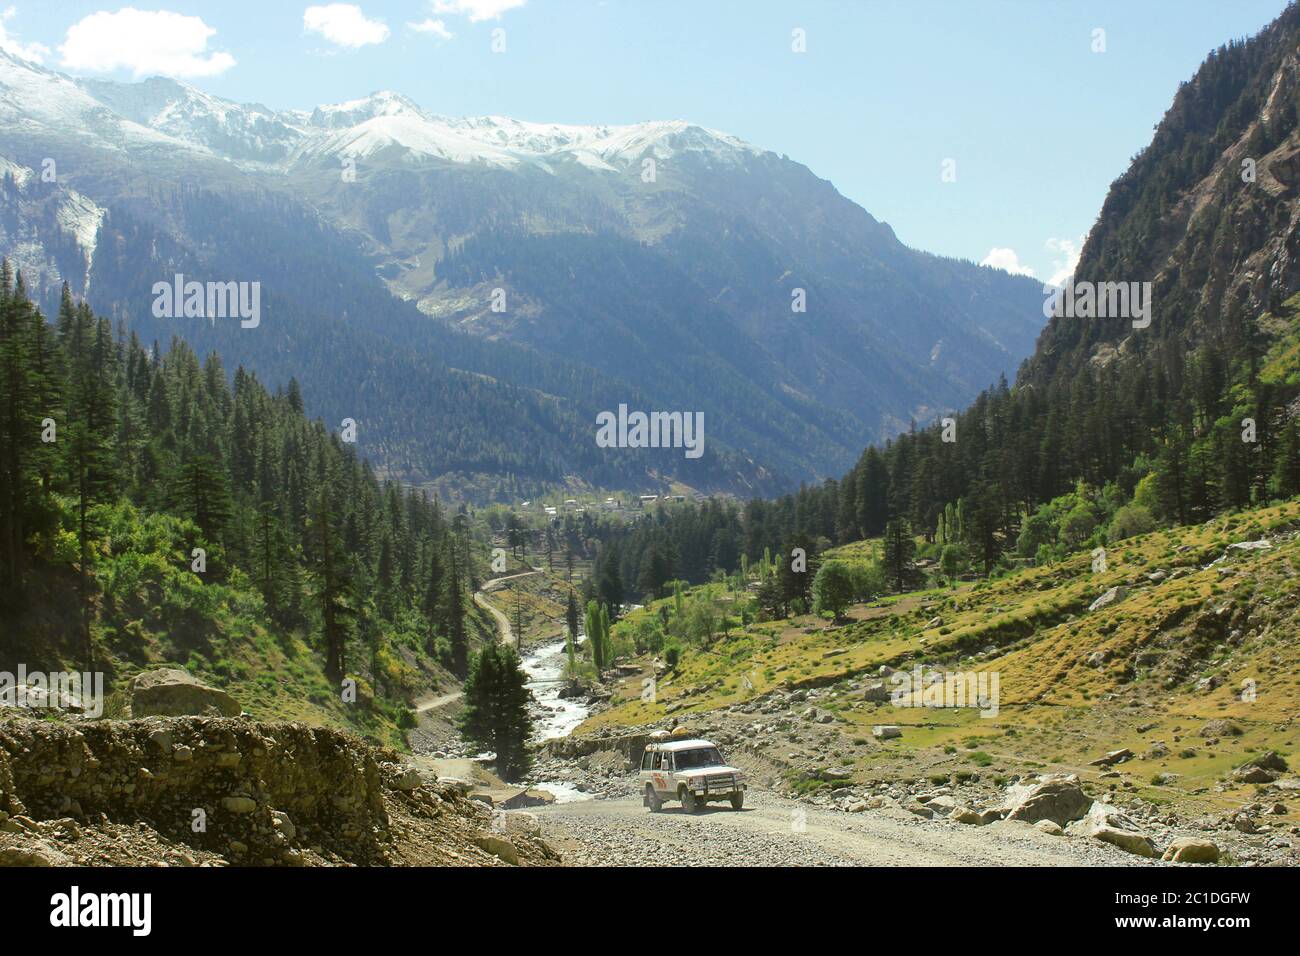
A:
(149, 498)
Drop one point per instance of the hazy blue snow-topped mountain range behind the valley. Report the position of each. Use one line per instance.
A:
(652, 265)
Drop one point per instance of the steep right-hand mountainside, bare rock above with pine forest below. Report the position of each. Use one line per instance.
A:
(1197, 397)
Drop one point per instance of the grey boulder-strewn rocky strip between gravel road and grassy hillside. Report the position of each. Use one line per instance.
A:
(809, 749)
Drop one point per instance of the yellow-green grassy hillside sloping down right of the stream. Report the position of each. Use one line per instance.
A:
(1197, 637)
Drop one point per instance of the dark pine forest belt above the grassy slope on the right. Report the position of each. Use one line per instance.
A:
(1033, 474)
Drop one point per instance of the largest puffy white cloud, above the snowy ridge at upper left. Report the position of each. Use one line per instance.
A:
(145, 42)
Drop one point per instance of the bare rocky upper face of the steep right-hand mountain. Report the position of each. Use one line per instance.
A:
(1207, 213)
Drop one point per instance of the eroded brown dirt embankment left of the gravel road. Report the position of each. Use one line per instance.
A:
(219, 791)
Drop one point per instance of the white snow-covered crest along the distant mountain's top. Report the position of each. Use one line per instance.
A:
(162, 113)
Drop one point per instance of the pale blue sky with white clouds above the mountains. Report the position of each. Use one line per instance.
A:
(1013, 92)
